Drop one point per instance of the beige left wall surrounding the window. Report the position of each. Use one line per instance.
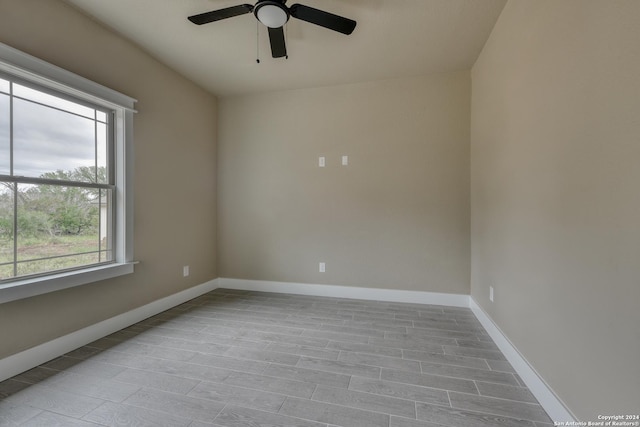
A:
(175, 136)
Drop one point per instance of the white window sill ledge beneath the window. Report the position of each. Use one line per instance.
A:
(41, 285)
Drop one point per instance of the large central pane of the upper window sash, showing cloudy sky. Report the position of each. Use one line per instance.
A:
(48, 140)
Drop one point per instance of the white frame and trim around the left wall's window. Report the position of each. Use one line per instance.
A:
(29, 68)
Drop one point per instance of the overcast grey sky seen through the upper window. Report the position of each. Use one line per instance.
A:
(46, 139)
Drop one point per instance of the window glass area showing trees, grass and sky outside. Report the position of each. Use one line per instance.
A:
(56, 192)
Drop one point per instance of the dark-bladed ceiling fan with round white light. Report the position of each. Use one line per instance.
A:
(274, 14)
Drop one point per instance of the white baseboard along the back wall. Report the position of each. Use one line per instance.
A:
(374, 294)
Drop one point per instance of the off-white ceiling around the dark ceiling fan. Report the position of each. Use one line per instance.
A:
(393, 38)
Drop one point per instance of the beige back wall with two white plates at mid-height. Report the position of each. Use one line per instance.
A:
(397, 217)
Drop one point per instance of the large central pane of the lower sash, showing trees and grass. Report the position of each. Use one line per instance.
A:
(58, 227)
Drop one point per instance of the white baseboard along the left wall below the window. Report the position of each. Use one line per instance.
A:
(28, 359)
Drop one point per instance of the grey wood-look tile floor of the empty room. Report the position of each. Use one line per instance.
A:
(251, 359)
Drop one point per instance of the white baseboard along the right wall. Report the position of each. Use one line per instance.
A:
(551, 403)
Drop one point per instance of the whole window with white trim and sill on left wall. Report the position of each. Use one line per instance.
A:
(65, 183)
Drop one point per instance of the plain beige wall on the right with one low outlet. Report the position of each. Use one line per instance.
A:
(555, 143)
